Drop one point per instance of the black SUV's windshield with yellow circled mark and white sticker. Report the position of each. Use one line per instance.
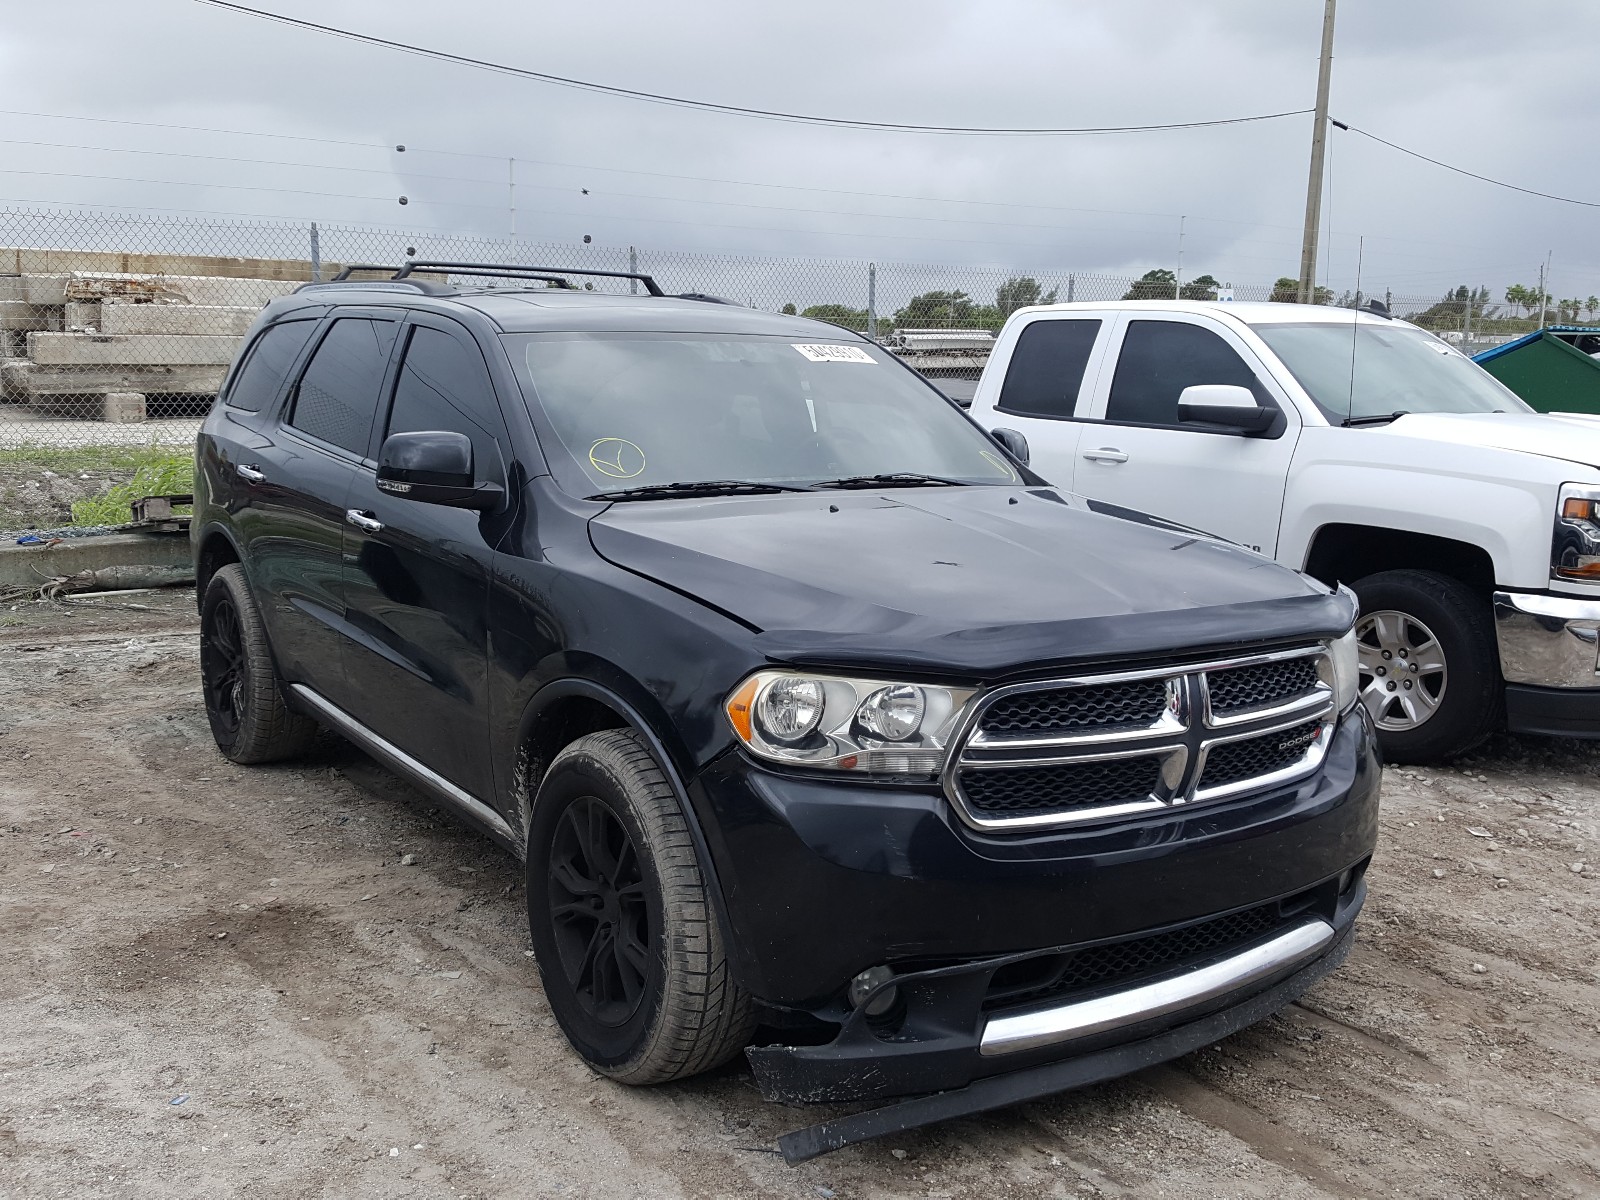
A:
(636, 410)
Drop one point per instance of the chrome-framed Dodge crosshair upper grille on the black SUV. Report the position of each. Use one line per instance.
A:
(1118, 745)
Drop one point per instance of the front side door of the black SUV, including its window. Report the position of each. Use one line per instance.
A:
(417, 575)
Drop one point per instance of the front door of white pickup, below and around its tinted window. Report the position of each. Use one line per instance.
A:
(1137, 455)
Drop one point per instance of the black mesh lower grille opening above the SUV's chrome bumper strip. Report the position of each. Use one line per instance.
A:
(1130, 961)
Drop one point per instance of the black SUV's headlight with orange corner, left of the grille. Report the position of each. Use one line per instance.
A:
(846, 724)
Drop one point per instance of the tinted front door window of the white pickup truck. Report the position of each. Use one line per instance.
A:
(1161, 359)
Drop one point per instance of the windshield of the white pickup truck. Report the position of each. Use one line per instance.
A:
(1398, 370)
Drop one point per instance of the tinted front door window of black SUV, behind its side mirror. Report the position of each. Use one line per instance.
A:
(444, 385)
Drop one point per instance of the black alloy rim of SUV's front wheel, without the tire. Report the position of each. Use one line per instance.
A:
(604, 930)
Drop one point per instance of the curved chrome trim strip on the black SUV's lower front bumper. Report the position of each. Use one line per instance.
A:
(1041, 1028)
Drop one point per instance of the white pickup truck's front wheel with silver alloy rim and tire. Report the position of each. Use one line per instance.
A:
(1430, 670)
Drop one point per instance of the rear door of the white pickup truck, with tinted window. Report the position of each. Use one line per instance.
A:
(1050, 372)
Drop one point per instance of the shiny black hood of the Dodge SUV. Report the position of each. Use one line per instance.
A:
(980, 580)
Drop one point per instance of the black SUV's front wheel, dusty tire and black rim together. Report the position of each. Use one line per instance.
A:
(625, 934)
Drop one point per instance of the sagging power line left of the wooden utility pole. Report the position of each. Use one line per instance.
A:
(729, 110)
